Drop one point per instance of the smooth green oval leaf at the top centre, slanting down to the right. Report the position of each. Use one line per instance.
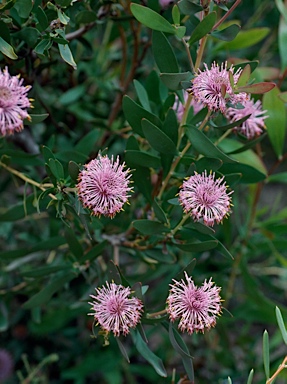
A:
(151, 19)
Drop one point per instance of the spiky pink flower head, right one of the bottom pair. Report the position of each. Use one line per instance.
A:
(196, 307)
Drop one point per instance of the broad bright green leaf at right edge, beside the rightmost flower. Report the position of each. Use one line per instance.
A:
(276, 122)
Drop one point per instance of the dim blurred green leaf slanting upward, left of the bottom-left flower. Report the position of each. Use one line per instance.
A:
(41, 298)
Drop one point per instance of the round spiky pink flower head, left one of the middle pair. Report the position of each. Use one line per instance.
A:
(104, 185)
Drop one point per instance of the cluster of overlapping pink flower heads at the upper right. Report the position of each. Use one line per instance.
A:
(212, 89)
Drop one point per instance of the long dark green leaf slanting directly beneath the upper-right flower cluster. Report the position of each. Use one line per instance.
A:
(204, 146)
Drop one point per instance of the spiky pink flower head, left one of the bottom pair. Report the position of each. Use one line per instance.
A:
(115, 310)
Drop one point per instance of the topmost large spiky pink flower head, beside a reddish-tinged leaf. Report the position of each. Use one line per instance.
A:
(212, 87)
